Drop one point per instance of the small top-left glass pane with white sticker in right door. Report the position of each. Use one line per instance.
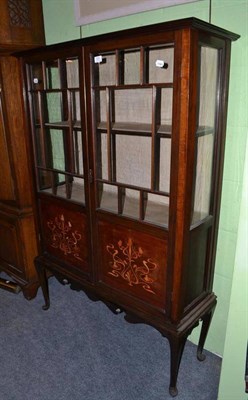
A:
(104, 69)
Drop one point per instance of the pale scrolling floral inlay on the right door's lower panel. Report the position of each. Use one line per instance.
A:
(128, 263)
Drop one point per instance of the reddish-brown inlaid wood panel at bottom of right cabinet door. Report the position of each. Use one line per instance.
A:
(133, 262)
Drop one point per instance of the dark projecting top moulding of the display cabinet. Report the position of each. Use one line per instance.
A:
(186, 23)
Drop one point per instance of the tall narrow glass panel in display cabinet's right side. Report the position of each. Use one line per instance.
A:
(205, 135)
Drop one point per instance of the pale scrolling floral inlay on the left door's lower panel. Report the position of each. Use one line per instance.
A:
(63, 237)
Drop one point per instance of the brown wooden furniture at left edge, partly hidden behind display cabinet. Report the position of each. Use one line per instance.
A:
(21, 28)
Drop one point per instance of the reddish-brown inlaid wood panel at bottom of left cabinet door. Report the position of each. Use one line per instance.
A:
(65, 233)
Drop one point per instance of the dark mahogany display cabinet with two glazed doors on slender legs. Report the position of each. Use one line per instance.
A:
(128, 133)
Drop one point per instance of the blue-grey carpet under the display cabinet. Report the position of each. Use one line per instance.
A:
(79, 350)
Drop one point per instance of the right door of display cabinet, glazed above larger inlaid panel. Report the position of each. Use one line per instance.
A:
(131, 98)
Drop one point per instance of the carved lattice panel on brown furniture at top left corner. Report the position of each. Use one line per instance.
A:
(19, 13)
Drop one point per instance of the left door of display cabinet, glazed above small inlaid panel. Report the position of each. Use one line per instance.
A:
(60, 158)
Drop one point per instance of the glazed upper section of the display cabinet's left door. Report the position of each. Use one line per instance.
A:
(57, 131)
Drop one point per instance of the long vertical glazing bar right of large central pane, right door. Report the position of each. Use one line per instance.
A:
(155, 160)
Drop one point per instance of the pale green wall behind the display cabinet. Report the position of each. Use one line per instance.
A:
(229, 14)
